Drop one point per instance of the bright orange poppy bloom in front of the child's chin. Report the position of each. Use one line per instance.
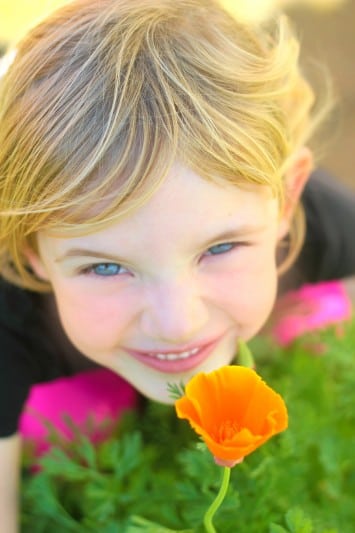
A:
(233, 410)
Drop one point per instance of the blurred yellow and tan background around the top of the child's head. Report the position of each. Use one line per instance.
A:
(327, 31)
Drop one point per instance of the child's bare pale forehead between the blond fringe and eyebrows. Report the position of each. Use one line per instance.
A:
(187, 206)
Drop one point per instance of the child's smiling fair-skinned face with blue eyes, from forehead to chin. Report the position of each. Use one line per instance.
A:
(167, 291)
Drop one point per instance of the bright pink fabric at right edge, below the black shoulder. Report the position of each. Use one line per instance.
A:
(310, 308)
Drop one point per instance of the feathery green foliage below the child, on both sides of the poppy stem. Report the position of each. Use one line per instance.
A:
(154, 476)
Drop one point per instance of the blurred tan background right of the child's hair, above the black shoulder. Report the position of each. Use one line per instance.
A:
(329, 36)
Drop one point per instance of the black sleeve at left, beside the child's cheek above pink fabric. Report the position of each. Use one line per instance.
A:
(31, 351)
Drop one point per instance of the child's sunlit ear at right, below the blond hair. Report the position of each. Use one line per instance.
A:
(296, 178)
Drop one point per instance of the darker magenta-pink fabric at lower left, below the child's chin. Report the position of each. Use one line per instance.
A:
(93, 400)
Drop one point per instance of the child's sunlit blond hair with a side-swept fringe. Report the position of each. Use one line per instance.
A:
(103, 97)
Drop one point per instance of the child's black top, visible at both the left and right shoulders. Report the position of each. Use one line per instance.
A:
(29, 350)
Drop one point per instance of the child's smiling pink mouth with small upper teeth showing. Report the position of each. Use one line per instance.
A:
(175, 361)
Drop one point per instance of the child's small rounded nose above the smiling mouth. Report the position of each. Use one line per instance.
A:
(175, 312)
